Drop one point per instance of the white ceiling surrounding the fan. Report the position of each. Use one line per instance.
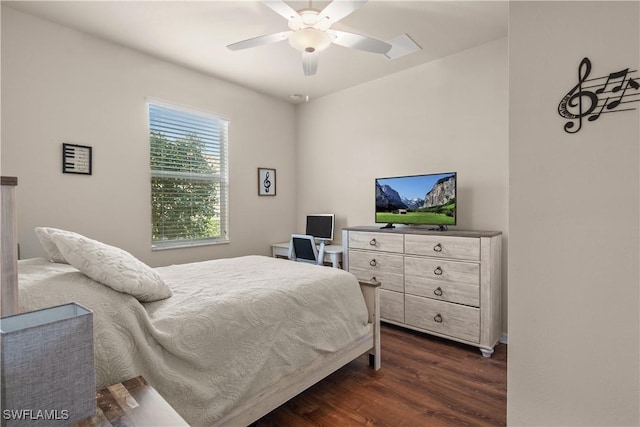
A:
(195, 34)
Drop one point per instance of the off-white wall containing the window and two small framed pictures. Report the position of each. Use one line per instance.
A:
(59, 85)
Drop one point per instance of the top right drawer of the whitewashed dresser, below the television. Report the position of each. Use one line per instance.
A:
(465, 248)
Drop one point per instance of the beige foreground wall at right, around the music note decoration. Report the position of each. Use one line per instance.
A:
(573, 222)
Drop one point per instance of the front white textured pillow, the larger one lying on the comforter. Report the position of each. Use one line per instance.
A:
(111, 266)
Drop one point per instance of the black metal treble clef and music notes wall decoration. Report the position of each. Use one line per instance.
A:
(591, 97)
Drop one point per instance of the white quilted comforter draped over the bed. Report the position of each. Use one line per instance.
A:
(232, 328)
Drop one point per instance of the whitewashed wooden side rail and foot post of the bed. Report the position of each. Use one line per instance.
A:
(295, 383)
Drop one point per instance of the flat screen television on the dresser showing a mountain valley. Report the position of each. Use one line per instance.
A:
(428, 199)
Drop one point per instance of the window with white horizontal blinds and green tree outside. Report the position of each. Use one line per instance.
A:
(189, 177)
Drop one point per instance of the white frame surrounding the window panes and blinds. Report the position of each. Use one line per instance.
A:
(222, 178)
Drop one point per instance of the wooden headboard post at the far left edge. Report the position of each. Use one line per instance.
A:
(8, 248)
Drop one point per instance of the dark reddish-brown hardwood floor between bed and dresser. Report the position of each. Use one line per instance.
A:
(424, 381)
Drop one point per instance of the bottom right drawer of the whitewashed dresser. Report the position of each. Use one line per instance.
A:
(444, 318)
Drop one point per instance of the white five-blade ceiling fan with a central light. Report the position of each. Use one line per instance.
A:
(310, 32)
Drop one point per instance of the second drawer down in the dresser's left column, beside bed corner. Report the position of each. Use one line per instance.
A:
(386, 268)
